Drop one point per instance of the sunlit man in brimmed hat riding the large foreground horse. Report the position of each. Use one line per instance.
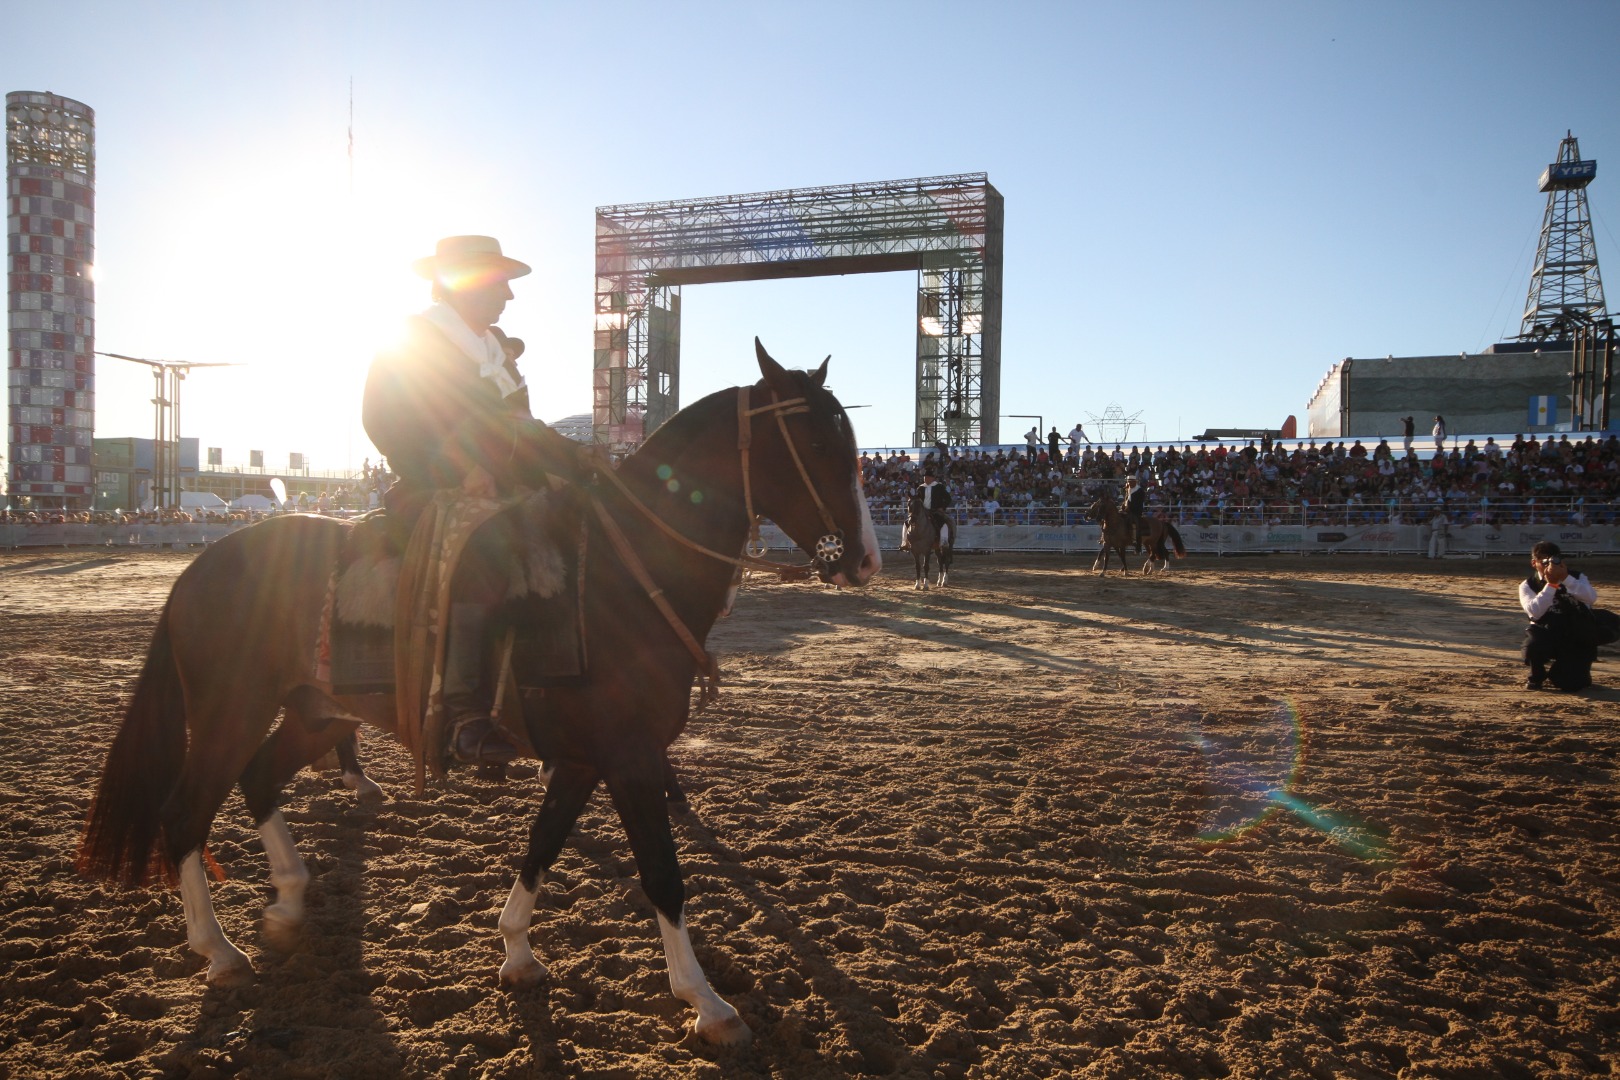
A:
(450, 410)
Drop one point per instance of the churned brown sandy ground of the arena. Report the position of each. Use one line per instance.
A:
(1258, 819)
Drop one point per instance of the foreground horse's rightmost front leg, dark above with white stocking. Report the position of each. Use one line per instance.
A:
(639, 797)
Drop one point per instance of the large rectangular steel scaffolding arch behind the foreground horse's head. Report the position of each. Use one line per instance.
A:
(947, 229)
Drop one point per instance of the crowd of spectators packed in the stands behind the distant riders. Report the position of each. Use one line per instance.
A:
(1548, 482)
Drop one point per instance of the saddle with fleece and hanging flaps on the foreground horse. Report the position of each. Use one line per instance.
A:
(386, 618)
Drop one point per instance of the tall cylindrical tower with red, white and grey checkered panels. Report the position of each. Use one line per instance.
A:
(51, 299)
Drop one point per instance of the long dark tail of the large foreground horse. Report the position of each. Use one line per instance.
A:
(142, 770)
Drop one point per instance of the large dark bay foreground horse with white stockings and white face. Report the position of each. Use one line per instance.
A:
(237, 639)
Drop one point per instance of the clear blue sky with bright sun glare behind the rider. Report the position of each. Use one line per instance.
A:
(1206, 203)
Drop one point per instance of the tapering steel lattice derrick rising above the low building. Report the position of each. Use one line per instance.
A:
(1566, 289)
